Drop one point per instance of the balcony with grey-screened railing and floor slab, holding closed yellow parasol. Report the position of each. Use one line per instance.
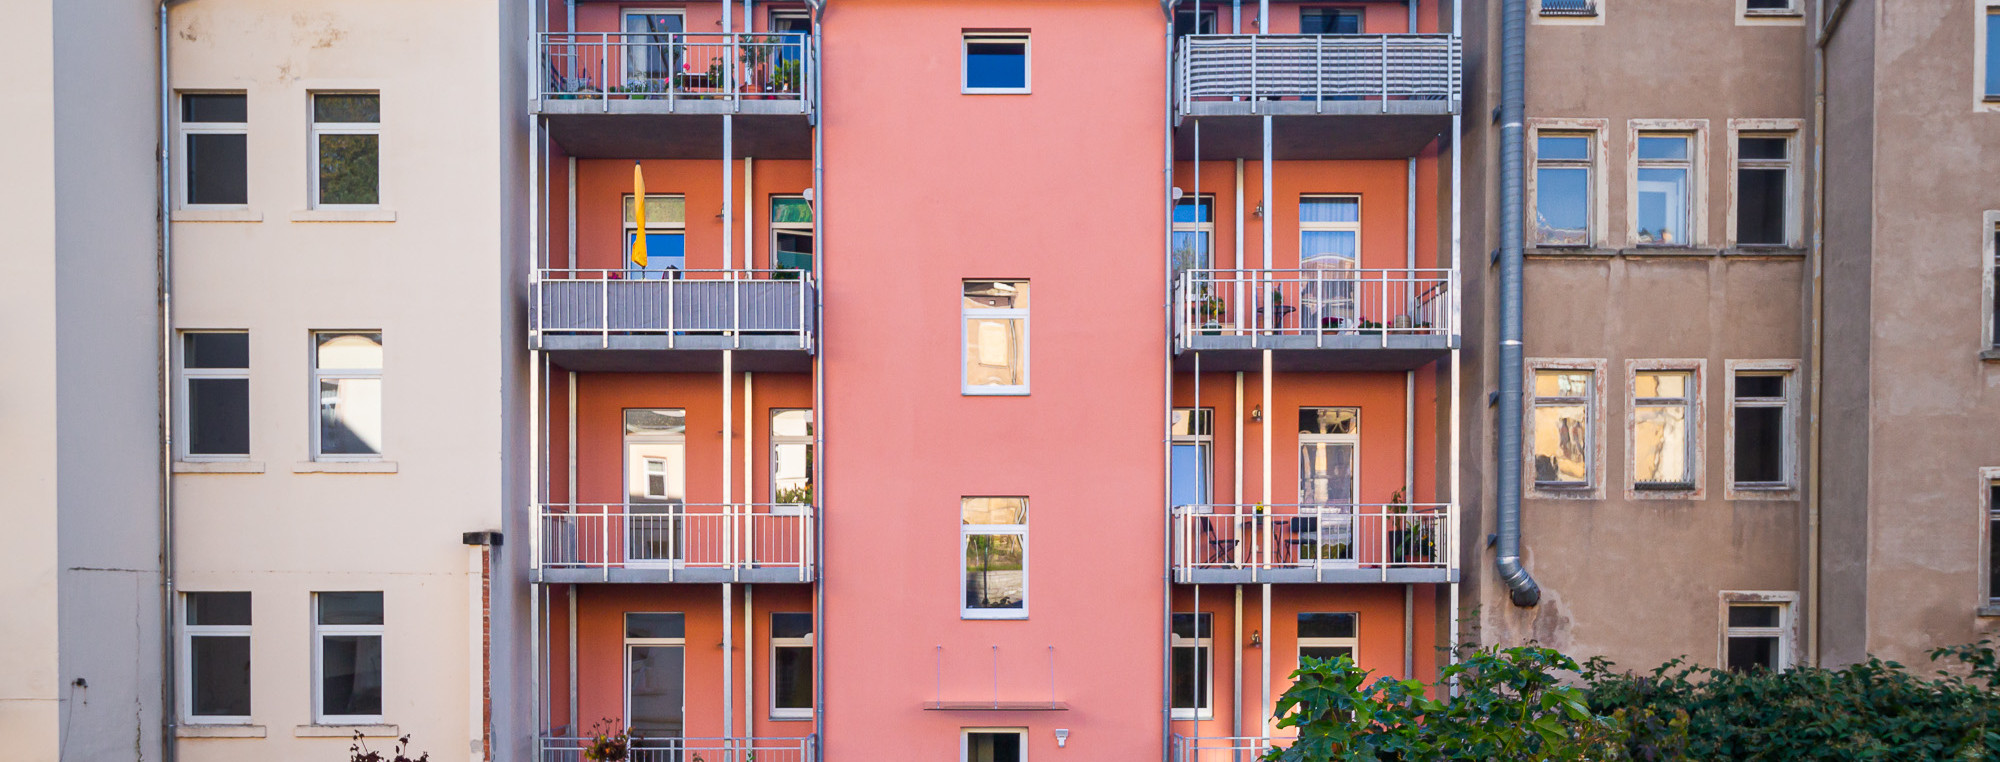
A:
(635, 321)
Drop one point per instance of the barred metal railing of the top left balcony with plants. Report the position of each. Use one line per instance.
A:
(679, 67)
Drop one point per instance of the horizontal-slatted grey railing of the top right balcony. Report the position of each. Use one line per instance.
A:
(1319, 67)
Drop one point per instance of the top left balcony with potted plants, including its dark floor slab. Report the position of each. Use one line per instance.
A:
(611, 95)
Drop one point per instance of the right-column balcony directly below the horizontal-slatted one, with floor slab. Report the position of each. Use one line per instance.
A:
(1335, 319)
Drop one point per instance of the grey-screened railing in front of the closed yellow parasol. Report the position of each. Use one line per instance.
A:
(675, 303)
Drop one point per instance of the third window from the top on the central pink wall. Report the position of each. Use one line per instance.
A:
(993, 539)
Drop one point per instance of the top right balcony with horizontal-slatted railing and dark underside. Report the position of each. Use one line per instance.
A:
(1331, 95)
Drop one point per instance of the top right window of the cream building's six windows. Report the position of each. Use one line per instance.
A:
(347, 149)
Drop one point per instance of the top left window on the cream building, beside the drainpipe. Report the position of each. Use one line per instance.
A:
(215, 165)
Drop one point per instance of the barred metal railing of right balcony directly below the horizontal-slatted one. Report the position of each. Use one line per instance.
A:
(1315, 303)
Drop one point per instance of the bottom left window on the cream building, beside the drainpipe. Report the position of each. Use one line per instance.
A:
(215, 657)
